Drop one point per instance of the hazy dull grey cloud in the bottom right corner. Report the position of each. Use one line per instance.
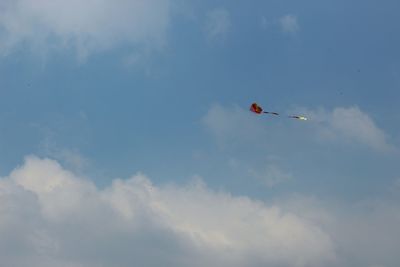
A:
(370, 233)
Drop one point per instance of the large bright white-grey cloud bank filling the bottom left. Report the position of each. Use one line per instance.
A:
(51, 217)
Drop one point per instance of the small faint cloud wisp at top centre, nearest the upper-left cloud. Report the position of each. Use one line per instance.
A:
(218, 24)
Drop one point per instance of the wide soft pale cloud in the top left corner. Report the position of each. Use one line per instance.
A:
(85, 26)
